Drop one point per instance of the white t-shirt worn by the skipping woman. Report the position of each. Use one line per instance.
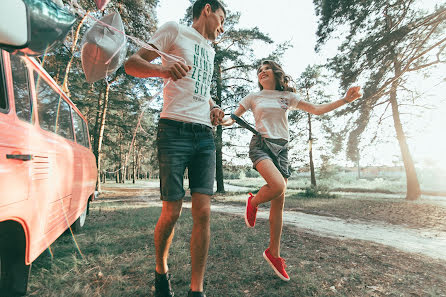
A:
(270, 109)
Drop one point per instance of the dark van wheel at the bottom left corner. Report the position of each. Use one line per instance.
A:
(14, 274)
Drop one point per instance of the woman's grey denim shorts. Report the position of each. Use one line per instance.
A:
(275, 150)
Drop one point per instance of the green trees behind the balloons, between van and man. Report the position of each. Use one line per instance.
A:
(127, 95)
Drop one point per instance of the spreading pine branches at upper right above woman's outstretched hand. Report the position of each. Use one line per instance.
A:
(382, 42)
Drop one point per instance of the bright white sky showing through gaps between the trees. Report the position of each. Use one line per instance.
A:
(295, 21)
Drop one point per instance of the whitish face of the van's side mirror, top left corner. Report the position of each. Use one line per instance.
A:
(14, 24)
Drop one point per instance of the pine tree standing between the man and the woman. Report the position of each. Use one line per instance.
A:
(234, 63)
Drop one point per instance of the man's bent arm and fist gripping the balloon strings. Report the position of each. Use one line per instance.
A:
(140, 65)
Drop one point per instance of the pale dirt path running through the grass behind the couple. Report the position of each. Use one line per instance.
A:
(423, 241)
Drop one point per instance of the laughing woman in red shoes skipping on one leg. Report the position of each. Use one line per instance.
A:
(268, 149)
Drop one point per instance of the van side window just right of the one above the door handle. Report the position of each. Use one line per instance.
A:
(47, 104)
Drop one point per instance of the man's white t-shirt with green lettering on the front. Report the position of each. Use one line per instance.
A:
(187, 99)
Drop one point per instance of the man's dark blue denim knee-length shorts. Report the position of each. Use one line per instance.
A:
(180, 146)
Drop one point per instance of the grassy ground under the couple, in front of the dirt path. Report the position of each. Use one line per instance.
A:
(118, 260)
